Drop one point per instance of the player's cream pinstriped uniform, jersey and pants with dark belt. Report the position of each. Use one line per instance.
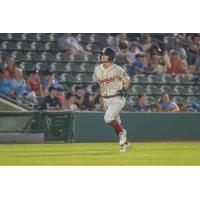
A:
(110, 81)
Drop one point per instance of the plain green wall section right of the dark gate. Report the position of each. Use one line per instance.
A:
(90, 127)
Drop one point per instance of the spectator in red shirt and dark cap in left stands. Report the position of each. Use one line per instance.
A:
(34, 84)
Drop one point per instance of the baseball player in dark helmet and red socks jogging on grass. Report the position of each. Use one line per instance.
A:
(113, 82)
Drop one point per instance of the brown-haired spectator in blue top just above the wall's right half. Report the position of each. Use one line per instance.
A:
(166, 105)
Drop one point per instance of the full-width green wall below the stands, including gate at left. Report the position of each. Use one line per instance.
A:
(90, 126)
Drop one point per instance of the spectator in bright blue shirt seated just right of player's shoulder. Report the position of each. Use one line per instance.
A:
(137, 67)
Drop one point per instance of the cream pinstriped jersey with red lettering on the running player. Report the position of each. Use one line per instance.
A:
(110, 79)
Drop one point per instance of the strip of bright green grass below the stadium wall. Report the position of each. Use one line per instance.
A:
(107, 154)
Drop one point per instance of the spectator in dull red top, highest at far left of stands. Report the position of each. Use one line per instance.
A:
(10, 68)
